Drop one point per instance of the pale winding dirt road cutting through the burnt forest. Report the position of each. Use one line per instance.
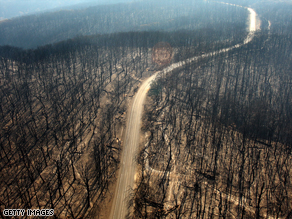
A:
(128, 167)
